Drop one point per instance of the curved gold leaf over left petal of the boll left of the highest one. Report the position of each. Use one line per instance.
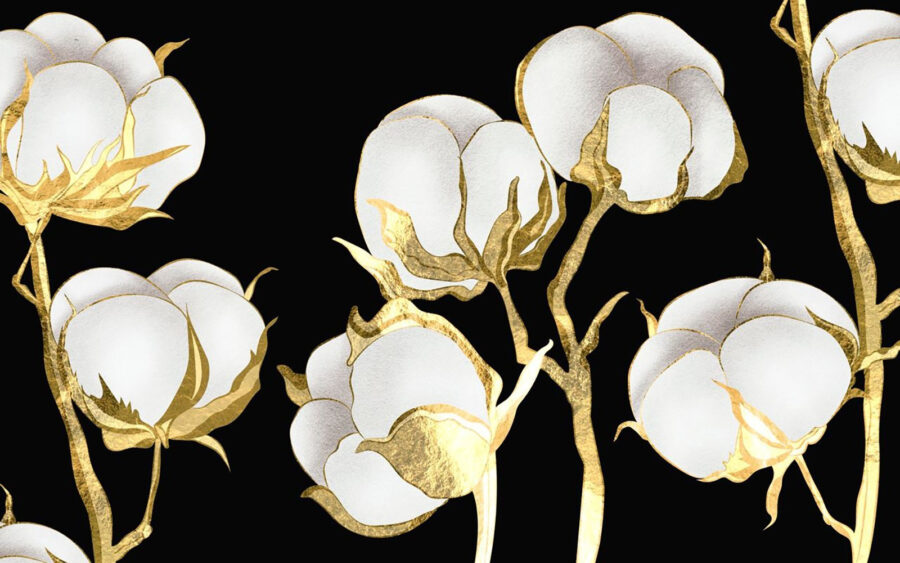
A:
(399, 234)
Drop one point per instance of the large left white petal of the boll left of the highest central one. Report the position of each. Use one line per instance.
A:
(413, 164)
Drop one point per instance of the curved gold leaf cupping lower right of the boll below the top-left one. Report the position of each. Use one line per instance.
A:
(223, 410)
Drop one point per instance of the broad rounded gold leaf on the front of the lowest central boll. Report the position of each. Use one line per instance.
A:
(438, 449)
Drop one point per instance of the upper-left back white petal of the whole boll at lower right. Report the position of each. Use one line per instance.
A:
(710, 309)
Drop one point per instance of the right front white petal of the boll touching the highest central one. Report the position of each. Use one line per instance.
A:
(498, 153)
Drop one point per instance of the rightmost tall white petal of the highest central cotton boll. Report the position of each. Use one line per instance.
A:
(712, 129)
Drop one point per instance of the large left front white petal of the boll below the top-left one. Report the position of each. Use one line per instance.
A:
(138, 344)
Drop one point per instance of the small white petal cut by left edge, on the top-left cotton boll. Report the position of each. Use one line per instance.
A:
(18, 48)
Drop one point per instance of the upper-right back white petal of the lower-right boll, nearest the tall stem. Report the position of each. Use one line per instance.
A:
(792, 299)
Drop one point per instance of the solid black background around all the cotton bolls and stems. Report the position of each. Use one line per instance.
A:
(287, 100)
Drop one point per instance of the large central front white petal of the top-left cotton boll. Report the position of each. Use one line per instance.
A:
(72, 107)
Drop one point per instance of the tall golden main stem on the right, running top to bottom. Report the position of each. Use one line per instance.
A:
(862, 268)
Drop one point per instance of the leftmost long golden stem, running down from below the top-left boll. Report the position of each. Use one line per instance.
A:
(89, 488)
